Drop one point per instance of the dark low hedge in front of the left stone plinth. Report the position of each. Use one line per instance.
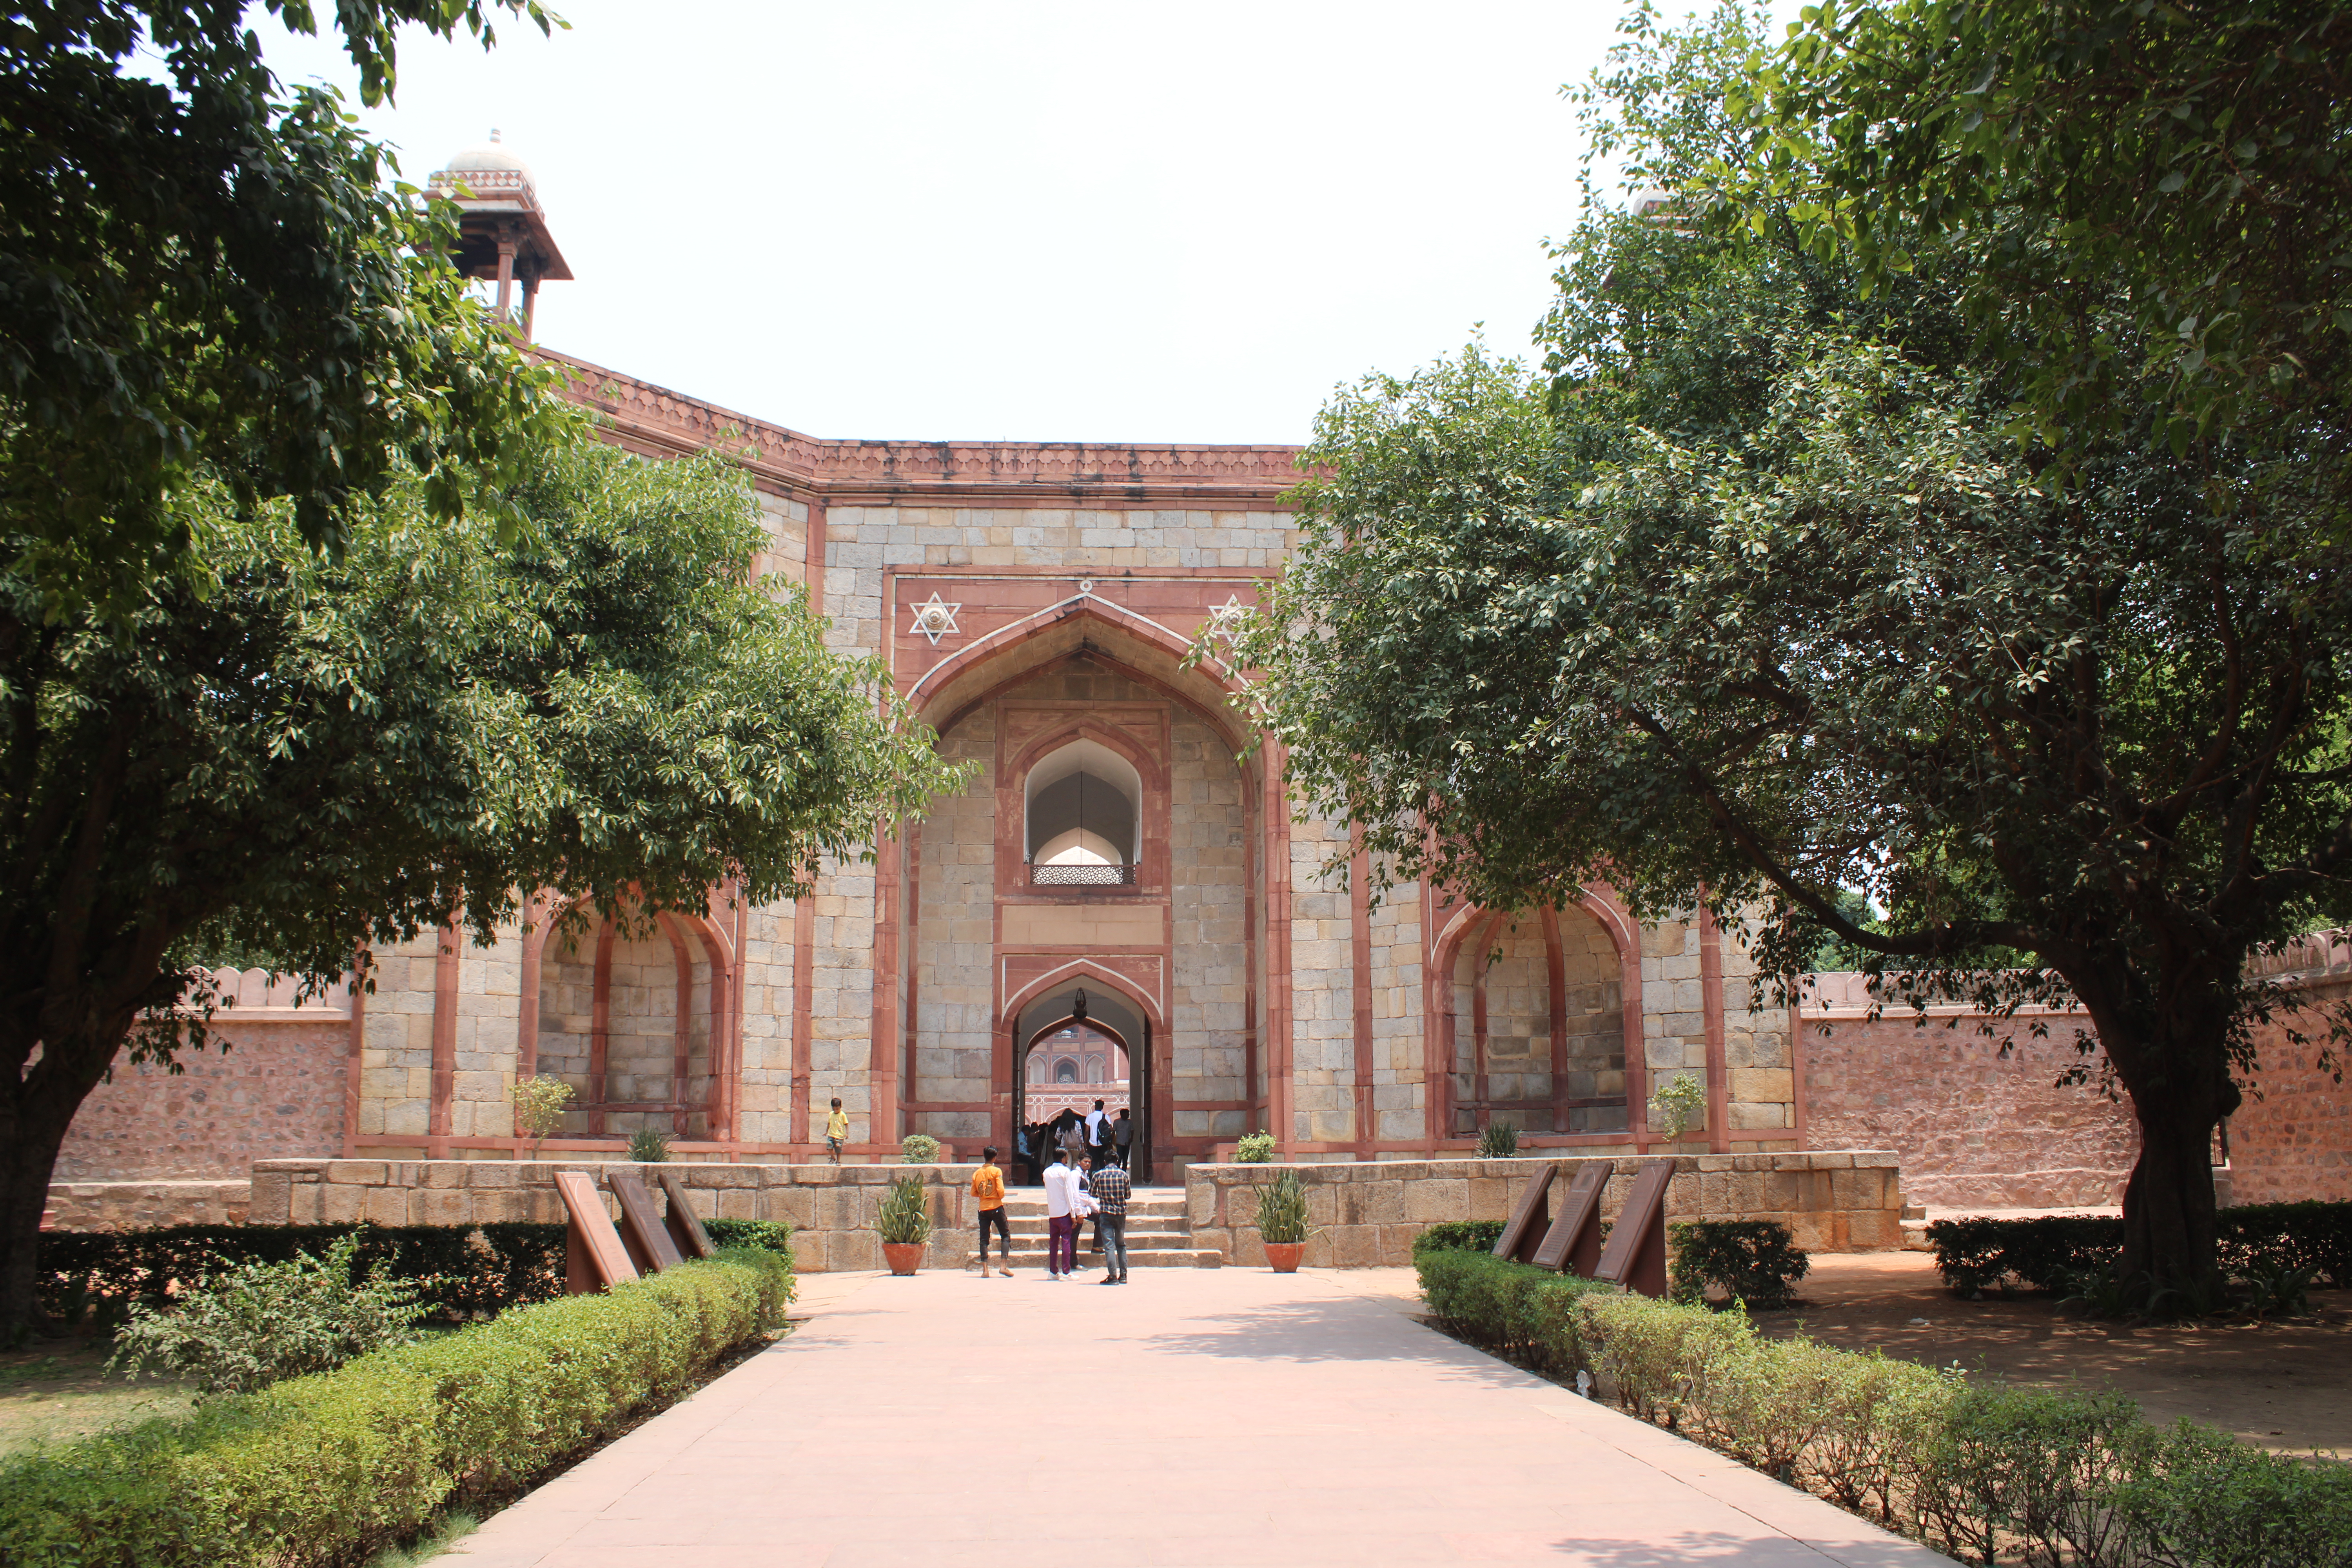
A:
(481, 1268)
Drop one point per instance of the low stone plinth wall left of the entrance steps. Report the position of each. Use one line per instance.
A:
(831, 1209)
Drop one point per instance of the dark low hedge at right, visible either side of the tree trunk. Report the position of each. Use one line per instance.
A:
(2047, 1252)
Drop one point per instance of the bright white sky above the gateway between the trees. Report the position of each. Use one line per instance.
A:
(1024, 222)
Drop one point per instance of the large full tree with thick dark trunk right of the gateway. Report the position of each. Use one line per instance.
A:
(1756, 601)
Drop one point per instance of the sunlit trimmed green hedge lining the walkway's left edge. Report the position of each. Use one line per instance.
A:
(321, 1470)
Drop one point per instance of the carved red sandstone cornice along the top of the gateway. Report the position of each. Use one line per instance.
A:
(657, 422)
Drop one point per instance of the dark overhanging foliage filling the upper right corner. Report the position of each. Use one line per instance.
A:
(2156, 201)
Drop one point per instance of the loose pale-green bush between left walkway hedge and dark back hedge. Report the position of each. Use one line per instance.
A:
(253, 1325)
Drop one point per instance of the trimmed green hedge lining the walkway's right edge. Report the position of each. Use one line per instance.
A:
(1984, 1475)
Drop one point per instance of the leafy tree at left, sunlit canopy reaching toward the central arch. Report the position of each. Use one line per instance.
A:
(295, 753)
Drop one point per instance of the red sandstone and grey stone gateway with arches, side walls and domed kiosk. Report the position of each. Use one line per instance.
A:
(1125, 838)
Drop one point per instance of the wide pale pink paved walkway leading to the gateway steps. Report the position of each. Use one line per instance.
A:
(1196, 1419)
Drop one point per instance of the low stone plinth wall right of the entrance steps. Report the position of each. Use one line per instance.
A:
(1368, 1214)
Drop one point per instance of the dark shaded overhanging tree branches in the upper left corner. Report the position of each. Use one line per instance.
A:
(211, 281)
